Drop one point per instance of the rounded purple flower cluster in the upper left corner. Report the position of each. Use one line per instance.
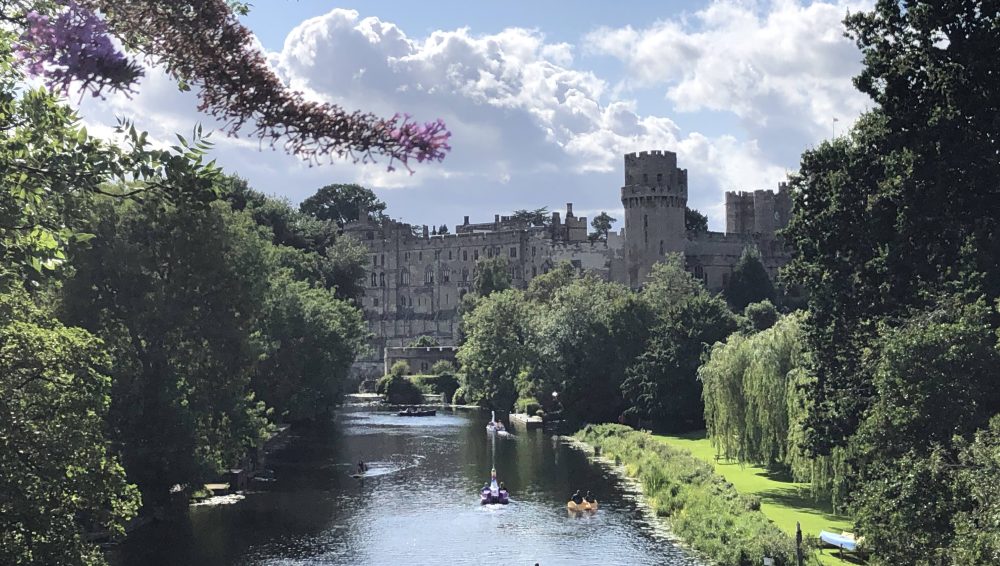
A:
(75, 46)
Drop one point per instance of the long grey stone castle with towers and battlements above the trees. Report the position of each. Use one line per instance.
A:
(416, 279)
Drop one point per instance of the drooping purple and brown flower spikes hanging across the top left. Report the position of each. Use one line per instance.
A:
(67, 42)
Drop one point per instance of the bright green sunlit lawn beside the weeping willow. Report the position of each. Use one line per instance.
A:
(783, 501)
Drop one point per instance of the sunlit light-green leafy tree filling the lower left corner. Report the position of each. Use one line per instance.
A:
(58, 474)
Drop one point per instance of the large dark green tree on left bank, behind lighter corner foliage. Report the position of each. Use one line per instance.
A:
(177, 294)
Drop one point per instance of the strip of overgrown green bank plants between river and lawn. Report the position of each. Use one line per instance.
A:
(704, 510)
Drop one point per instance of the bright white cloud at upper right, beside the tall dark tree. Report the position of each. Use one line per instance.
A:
(782, 67)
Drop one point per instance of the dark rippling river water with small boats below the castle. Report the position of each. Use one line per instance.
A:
(419, 505)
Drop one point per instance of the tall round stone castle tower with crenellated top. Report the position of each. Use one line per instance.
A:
(654, 197)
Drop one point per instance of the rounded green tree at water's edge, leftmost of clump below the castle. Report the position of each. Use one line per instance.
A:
(498, 347)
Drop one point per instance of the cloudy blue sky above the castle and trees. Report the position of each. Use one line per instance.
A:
(543, 98)
